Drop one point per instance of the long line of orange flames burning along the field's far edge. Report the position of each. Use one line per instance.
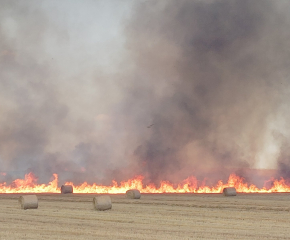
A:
(189, 185)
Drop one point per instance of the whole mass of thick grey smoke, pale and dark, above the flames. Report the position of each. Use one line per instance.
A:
(195, 91)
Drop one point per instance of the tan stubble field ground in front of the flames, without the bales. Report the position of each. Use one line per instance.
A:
(160, 216)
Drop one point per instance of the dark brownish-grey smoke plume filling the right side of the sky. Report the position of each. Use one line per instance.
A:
(210, 76)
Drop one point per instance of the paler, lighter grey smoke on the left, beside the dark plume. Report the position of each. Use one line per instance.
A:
(56, 90)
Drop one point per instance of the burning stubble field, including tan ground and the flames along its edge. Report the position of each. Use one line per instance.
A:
(189, 210)
